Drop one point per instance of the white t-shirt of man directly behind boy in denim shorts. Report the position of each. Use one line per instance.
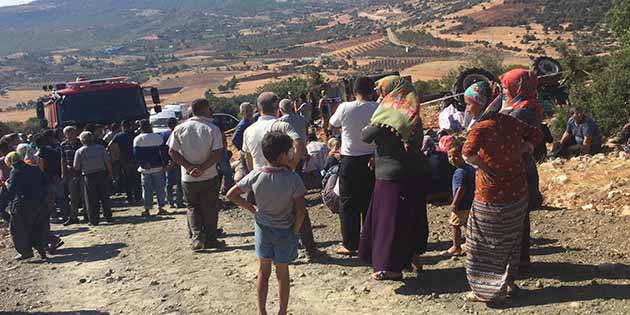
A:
(252, 139)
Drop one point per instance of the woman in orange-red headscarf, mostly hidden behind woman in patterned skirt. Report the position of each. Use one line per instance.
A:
(520, 90)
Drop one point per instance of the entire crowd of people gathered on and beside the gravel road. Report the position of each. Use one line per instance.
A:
(377, 169)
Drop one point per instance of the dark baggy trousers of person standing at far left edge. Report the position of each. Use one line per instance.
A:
(30, 226)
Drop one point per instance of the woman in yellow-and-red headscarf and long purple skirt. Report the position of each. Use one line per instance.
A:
(395, 230)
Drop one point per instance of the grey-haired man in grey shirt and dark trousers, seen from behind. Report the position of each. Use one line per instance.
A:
(95, 165)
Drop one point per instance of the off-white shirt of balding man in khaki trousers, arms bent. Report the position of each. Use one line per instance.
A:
(195, 140)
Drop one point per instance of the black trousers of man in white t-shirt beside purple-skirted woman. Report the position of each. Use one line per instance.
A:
(356, 183)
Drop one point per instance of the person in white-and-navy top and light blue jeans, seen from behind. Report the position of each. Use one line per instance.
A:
(148, 151)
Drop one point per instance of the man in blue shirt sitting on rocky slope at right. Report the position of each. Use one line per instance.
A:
(581, 137)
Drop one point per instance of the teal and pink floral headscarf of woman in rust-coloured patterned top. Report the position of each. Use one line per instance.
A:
(487, 95)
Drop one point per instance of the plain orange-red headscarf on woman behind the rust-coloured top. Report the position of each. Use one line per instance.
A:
(522, 87)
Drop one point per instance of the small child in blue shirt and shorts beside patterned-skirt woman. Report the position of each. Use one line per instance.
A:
(463, 193)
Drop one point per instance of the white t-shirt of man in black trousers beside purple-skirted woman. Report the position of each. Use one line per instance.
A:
(352, 117)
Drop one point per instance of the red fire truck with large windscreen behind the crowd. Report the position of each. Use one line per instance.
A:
(102, 101)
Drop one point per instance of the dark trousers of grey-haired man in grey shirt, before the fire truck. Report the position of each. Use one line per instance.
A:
(97, 187)
